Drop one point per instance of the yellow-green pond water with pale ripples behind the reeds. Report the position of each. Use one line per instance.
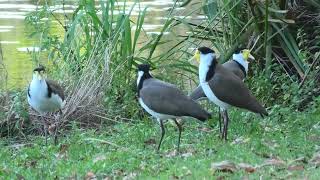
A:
(17, 44)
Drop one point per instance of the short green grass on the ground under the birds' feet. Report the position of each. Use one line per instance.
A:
(121, 150)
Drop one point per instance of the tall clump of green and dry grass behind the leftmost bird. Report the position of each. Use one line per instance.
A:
(94, 57)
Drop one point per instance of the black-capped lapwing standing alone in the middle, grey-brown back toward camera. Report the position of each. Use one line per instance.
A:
(165, 101)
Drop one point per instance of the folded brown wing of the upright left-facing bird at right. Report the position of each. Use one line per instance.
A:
(230, 89)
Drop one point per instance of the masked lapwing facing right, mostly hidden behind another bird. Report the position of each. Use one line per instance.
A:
(239, 65)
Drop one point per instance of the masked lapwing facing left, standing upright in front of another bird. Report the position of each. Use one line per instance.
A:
(225, 88)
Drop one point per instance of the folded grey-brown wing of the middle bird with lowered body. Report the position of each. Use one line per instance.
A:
(165, 98)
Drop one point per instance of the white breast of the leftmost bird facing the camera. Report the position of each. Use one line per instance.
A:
(39, 99)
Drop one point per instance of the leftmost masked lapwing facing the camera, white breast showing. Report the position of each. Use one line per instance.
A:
(45, 95)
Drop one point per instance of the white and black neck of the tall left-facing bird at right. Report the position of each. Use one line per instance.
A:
(207, 68)
